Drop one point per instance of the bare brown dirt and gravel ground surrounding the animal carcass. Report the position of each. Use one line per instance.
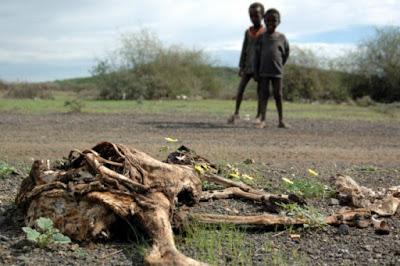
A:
(327, 146)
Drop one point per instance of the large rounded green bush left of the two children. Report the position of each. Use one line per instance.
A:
(142, 68)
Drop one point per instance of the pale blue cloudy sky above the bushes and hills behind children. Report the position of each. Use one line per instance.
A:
(44, 40)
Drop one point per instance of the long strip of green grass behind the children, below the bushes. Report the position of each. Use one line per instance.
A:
(214, 107)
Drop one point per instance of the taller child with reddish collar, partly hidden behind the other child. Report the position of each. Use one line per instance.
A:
(256, 12)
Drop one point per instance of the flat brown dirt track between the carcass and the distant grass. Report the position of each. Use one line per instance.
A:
(51, 136)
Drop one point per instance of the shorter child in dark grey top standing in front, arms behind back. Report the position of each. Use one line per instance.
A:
(272, 52)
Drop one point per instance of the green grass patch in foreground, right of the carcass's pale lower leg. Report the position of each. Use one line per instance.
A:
(229, 245)
